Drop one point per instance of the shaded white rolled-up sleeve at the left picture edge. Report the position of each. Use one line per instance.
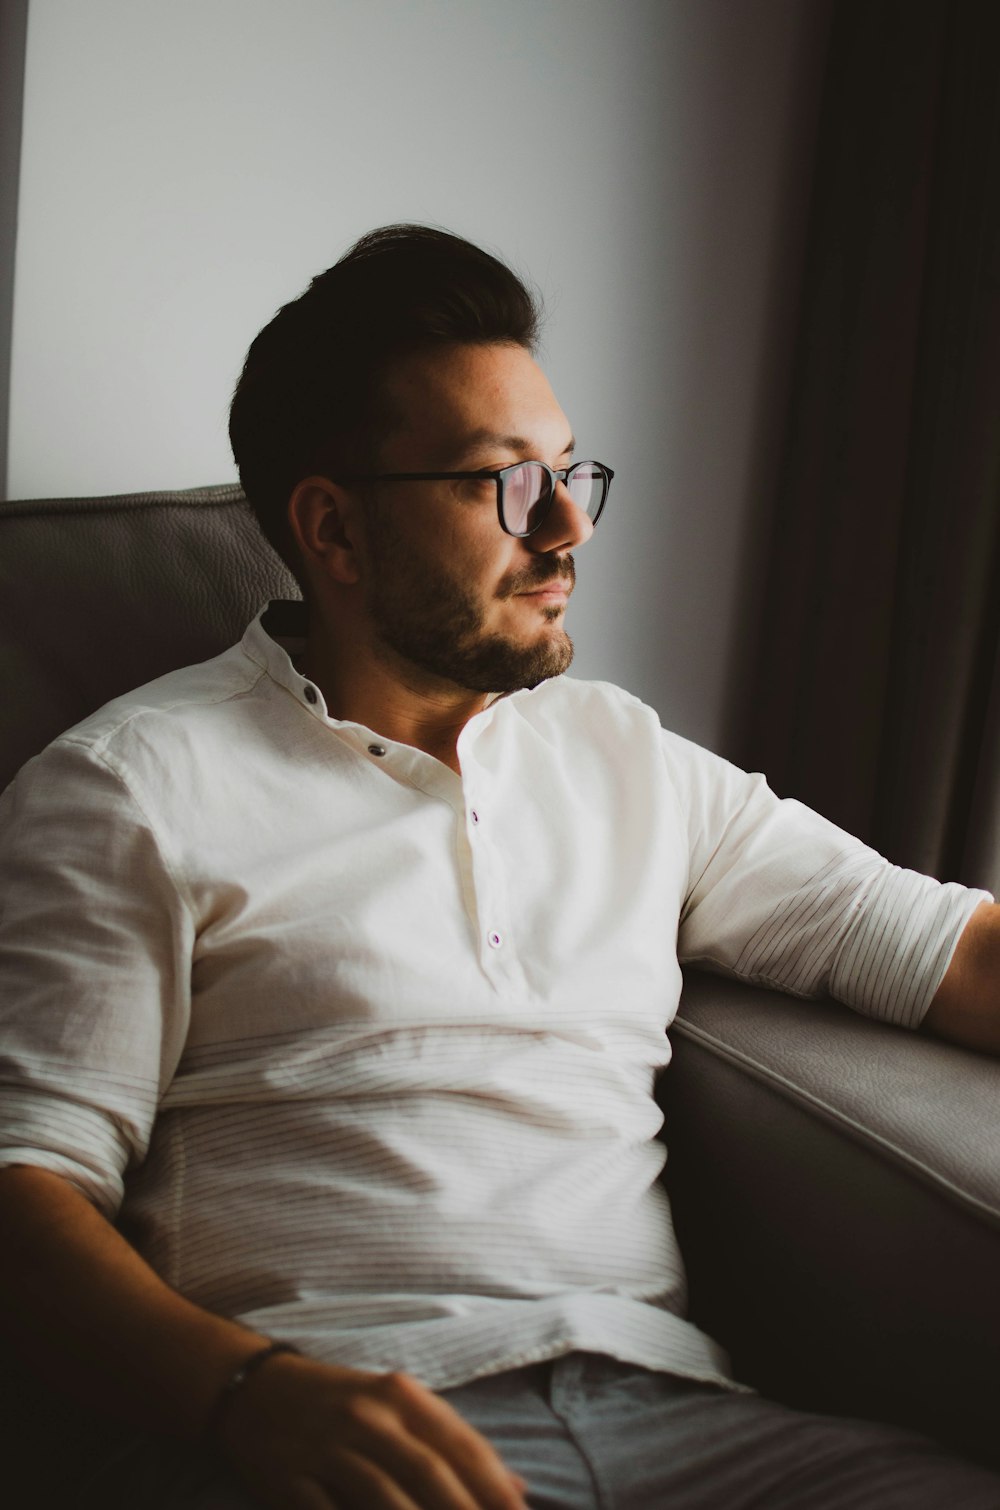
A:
(96, 940)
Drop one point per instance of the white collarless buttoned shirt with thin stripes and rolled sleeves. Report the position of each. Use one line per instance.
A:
(362, 1052)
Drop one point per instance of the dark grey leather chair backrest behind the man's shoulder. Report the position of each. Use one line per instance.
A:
(99, 596)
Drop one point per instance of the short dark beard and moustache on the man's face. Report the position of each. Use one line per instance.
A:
(424, 615)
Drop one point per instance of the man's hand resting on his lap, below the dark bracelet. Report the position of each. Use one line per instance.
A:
(307, 1437)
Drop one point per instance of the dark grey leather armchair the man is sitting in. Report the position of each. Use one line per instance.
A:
(836, 1182)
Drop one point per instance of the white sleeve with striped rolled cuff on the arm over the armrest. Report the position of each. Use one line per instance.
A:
(780, 896)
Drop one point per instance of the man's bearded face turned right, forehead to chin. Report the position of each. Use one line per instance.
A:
(449, 593)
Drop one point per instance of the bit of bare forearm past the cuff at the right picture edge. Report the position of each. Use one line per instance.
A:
(966, 1008)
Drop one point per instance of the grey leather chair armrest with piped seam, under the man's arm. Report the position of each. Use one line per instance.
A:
(836, 1186)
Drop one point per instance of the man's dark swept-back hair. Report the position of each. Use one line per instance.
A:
(309, 398)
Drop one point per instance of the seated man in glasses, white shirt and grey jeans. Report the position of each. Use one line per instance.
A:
(339, 969)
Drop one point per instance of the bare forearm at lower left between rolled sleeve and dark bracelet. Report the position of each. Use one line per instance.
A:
(94, 1320)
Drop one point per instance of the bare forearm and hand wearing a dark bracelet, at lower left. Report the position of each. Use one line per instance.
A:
(96, 1320)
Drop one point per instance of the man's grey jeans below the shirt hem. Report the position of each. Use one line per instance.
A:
(590, 1434)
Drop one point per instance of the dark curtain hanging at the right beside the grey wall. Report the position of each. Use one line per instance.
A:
(878, 688)
